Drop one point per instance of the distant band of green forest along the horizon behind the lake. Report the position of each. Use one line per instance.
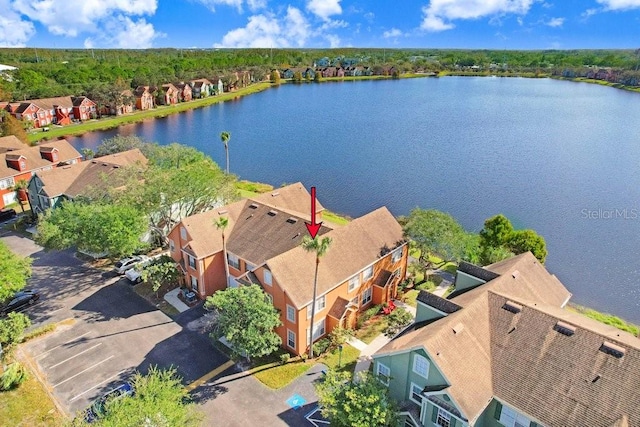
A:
(58, 72)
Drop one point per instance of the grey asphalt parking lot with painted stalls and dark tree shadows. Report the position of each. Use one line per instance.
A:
(107, 331)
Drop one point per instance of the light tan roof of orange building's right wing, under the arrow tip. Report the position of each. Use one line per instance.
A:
(354, 247)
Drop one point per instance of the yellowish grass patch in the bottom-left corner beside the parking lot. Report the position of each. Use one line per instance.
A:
(28, 405)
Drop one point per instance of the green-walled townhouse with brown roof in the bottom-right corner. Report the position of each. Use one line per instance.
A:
(503, 350)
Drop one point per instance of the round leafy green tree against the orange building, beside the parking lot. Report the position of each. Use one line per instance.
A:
(246, 318)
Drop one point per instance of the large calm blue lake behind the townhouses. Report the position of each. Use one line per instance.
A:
(561, 158)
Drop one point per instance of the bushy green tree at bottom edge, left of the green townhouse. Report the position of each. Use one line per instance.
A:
(364, 402)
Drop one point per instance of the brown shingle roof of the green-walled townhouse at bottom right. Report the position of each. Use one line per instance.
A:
(499, 353)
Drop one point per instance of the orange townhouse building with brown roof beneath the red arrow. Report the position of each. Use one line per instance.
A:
(365, 263)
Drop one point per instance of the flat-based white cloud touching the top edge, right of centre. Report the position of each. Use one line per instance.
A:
(438, 14)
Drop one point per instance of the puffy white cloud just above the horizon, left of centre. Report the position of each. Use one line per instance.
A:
(267, 30)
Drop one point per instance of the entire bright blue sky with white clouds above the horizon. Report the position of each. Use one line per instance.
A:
(491, 24)
